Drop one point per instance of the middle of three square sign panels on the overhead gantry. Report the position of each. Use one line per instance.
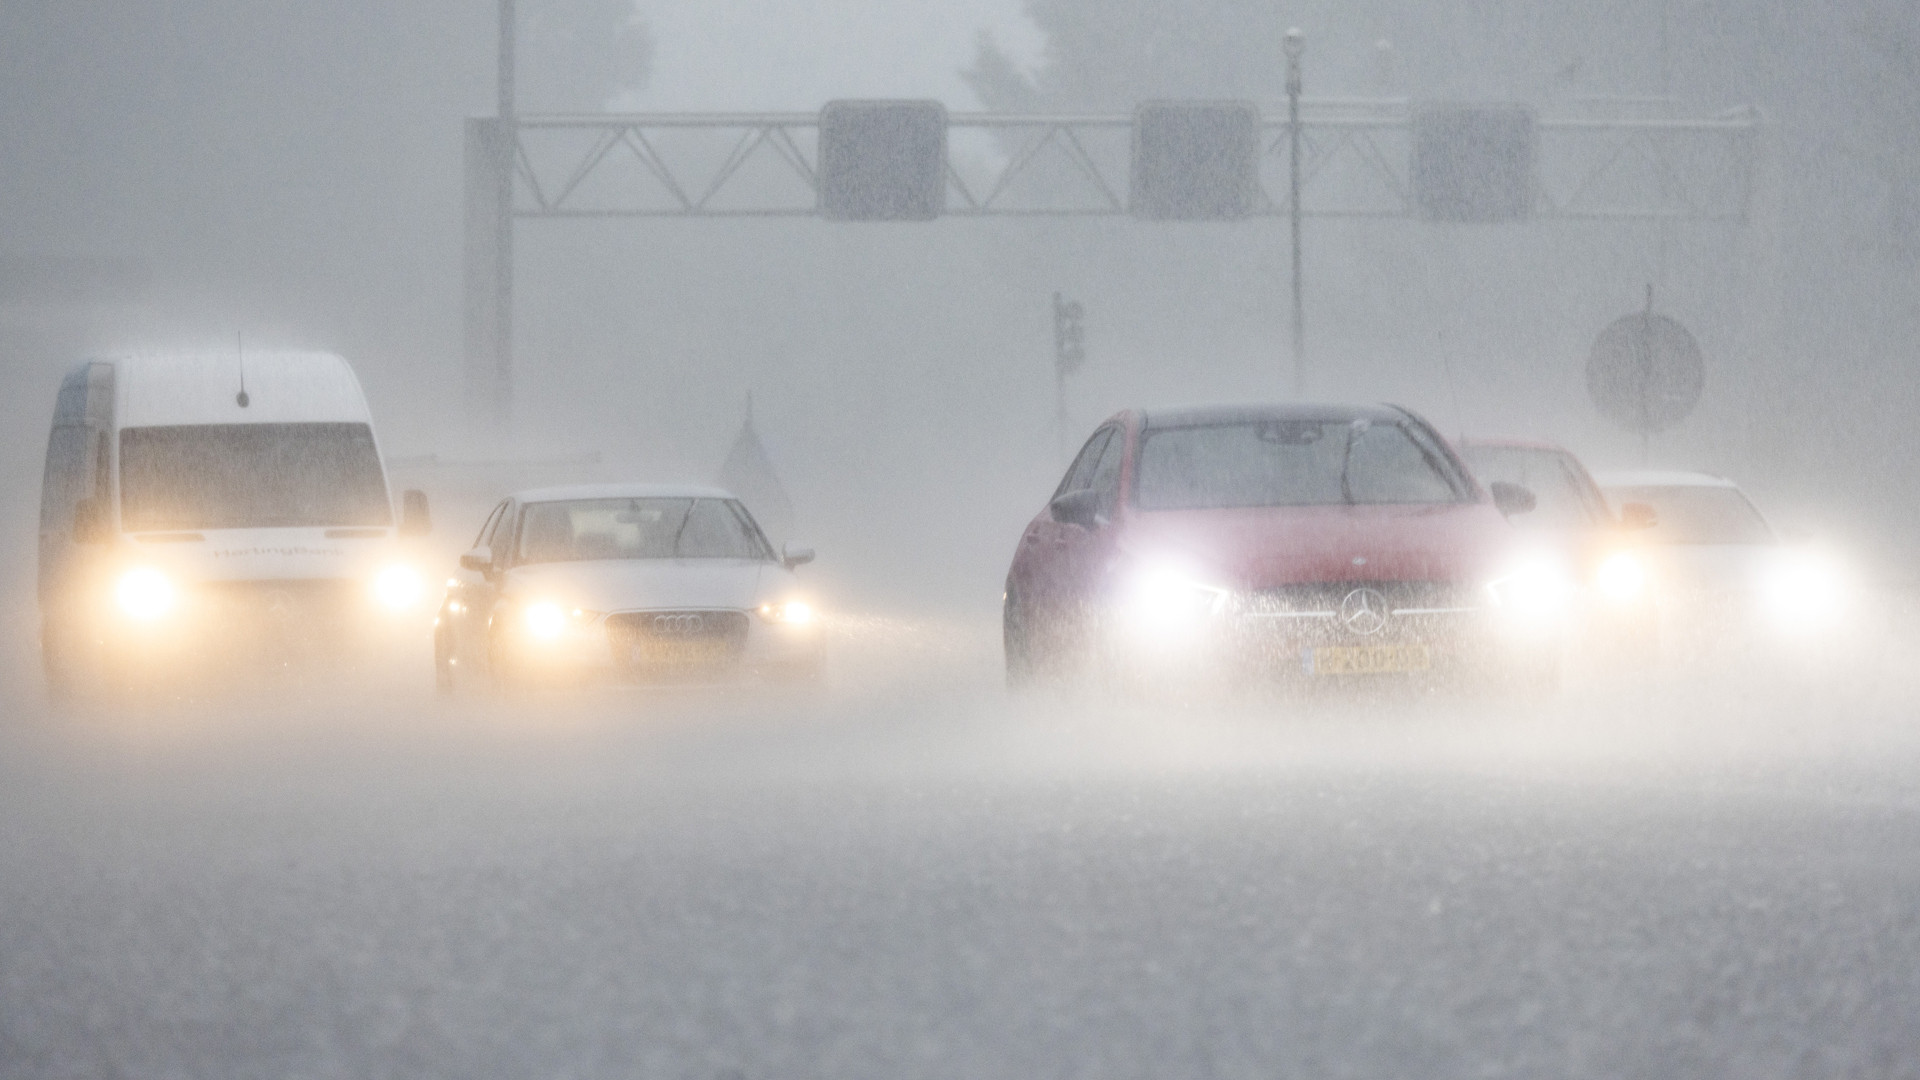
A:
(1195, 160)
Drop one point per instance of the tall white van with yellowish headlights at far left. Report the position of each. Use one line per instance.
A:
(214, 508)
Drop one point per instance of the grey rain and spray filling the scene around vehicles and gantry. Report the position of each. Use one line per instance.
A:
(1700, 870)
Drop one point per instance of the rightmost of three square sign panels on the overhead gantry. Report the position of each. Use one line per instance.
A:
(1474, 162)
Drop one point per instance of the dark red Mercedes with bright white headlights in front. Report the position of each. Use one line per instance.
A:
(1285, 541)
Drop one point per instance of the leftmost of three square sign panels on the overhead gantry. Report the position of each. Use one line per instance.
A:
(882, 160)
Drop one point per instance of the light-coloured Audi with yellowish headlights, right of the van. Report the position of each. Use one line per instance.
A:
(625, 583)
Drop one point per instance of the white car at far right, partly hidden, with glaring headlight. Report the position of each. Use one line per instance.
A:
(1717, 568)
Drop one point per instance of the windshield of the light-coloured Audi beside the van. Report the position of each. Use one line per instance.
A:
(640, 529)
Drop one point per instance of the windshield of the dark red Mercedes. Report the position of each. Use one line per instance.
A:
(1289, 464)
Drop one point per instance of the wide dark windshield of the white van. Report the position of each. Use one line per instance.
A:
(251, 478)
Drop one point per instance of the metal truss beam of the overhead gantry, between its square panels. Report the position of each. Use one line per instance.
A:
(1356, 164)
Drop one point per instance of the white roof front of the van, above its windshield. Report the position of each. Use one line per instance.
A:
(204, 389)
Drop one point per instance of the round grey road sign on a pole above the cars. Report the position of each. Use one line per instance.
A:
(1644, 374)
